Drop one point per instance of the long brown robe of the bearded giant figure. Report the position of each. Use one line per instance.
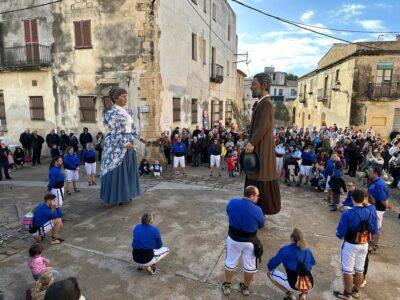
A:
(261, 137)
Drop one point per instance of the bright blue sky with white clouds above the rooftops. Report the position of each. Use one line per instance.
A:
(270, 42)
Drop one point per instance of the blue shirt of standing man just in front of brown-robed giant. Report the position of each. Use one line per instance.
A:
(244, 215)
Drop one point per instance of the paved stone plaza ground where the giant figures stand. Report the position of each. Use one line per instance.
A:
(190, 212)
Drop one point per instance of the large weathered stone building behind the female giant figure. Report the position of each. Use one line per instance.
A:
(59, 61)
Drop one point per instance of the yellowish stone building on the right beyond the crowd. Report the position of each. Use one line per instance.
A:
(354, 85)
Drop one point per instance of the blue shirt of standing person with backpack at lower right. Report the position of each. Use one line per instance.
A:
(350, 222)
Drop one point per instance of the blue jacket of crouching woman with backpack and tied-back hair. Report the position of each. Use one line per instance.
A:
(286, 256)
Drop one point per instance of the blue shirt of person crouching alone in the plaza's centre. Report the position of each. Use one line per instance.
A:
(146, 237)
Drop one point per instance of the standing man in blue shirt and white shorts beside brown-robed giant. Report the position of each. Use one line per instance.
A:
(245, 218)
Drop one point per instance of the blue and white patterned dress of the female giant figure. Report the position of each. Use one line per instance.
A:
(119, 167)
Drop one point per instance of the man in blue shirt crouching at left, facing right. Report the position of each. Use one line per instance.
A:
(47, 218)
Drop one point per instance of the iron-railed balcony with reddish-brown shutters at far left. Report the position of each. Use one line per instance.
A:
(28, 56)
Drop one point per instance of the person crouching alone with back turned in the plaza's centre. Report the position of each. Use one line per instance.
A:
(147, 249)
